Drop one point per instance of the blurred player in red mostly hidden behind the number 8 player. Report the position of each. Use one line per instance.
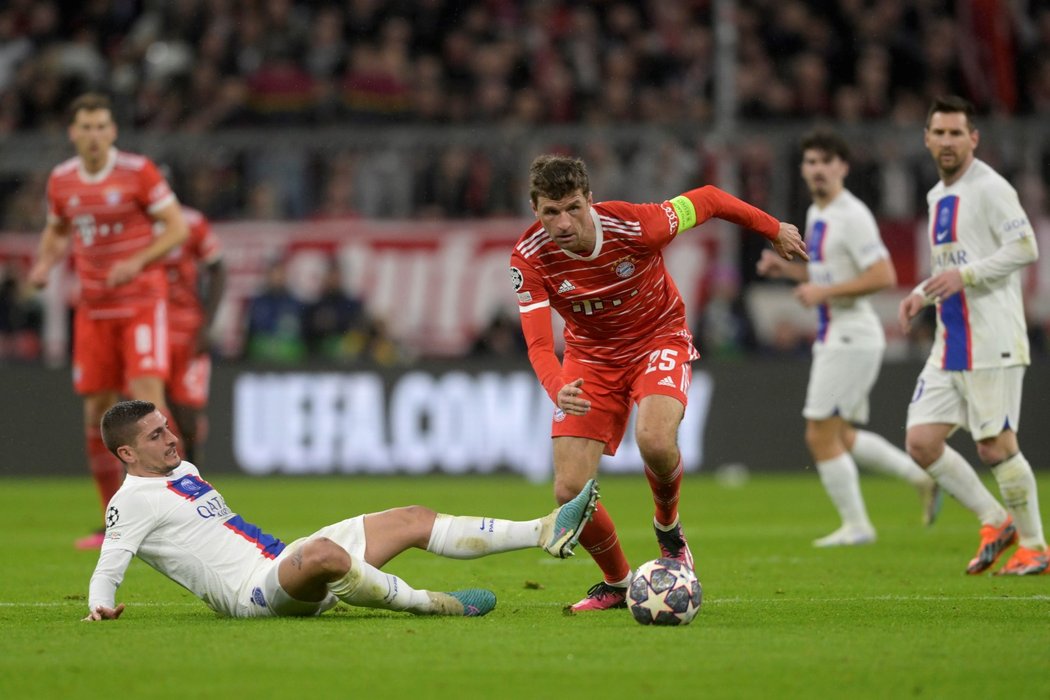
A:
(190, 321)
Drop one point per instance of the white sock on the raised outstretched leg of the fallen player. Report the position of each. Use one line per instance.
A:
(468, 538)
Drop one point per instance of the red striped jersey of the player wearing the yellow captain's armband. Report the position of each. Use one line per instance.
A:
(615, 302)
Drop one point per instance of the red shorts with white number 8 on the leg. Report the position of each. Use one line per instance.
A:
(112, 348)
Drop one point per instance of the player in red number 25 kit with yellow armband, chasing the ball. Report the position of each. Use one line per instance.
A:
(626, 342)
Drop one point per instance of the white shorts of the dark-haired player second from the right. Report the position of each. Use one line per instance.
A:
(841, 383)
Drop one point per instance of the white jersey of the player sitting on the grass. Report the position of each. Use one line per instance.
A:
(181, 526)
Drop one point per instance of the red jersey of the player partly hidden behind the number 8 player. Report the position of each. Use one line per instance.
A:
(185, 311)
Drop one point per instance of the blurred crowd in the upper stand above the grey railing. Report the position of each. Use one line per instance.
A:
(199, 66)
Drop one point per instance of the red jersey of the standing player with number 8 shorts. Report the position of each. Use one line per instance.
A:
(109, 215)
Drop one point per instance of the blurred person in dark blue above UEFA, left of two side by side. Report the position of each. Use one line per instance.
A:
(276, 322)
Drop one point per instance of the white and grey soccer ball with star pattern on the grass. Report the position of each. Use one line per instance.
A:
(664, 592)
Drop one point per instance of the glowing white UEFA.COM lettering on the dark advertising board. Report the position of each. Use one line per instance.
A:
(455, 423)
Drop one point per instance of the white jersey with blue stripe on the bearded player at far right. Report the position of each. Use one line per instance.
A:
(983, 326)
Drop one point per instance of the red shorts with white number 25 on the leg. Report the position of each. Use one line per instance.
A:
(665, 370)
